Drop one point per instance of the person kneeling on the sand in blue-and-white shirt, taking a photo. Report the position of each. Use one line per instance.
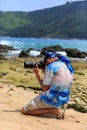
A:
(57, 82)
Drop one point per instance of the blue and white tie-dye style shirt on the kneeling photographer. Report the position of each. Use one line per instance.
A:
(58, 76)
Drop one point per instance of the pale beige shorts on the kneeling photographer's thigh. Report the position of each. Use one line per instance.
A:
(35, 103)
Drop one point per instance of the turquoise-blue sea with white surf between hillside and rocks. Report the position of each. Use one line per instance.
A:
(39, 43)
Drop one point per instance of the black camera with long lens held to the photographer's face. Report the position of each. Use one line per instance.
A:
(28, 64)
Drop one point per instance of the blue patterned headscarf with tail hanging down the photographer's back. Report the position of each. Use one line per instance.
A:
(61, 57)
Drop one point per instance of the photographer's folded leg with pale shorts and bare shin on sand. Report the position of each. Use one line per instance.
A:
(36, 107)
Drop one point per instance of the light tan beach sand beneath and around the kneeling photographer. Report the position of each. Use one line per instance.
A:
(11, 101)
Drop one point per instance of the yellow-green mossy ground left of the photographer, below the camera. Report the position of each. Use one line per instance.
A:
(13, 72)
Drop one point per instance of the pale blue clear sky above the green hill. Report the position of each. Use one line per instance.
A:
(29, 5)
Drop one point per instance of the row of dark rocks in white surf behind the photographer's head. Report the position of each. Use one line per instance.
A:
(74, 53)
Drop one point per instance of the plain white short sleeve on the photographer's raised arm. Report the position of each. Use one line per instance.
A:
(47, 77)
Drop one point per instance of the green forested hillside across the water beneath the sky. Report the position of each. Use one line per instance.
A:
(66, 21)
